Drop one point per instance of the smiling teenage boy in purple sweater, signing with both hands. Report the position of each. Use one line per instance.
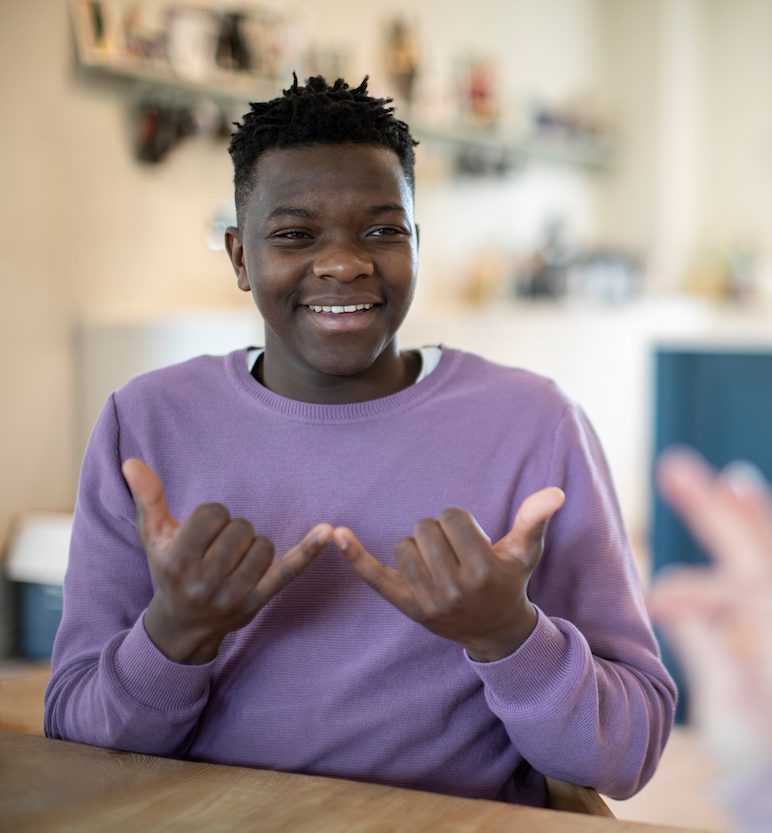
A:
(475, 667)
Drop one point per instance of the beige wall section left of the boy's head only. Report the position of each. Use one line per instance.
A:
(86, 230)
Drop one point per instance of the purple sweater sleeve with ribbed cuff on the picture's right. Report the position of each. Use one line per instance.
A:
(586, 698)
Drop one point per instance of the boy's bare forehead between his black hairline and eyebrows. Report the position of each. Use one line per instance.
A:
(318, 174)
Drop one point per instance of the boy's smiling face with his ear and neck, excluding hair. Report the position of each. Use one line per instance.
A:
(328, 249)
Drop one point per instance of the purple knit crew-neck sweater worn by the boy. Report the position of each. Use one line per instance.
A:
(329, 678)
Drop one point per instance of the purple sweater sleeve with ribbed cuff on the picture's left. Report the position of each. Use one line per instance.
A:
(110, 685)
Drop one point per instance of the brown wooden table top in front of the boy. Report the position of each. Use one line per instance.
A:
(48, 785)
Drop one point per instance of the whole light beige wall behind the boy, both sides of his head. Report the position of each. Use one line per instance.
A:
(87, 231)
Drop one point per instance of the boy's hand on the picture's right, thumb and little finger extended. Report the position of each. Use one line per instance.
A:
(455, 583)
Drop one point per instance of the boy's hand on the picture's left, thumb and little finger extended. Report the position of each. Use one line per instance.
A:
(212, 573)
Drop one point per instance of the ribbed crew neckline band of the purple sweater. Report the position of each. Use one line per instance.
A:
(348, 412)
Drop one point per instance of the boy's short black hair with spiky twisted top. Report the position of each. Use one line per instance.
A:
(316, 113)
